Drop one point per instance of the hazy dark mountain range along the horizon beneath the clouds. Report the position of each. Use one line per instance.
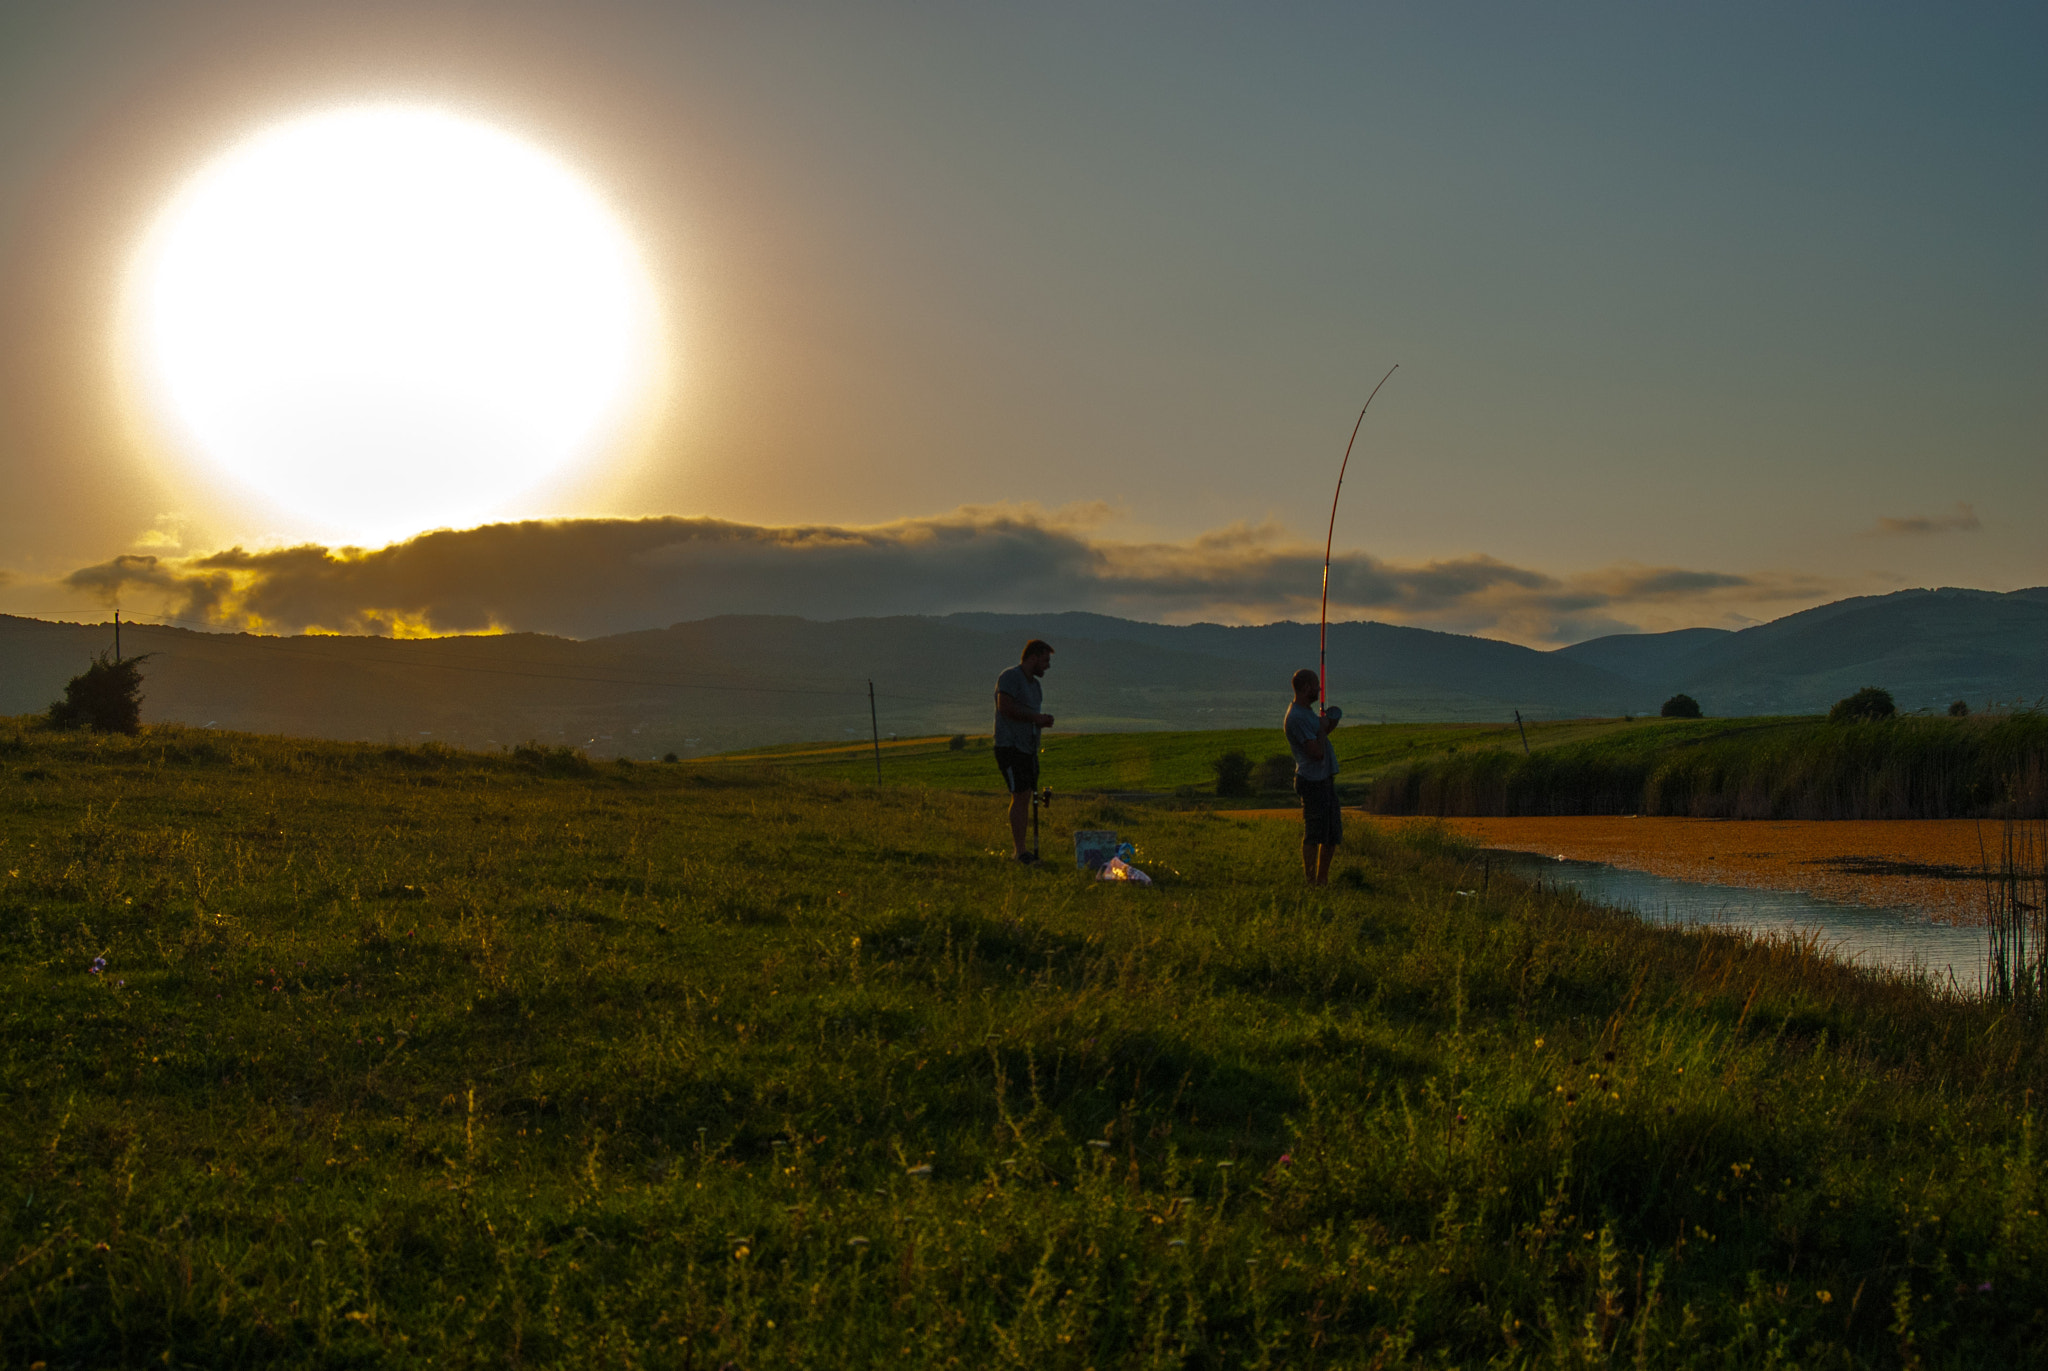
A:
(755, 679)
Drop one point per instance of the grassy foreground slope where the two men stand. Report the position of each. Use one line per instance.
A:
(343, 1056)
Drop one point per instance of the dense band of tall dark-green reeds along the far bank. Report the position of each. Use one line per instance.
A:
(1809, 770)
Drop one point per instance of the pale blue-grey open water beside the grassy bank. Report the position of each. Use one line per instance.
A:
(1873, 938)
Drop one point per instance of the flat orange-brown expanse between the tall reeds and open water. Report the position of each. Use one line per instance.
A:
(1916, 864)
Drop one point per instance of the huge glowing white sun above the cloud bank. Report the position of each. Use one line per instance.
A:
(392, 319)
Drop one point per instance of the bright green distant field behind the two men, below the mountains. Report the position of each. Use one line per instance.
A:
(1166, 763)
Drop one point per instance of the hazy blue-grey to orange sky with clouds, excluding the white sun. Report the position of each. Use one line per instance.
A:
(1703, 315)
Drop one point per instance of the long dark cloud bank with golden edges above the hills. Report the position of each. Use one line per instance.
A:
(591, 577)
